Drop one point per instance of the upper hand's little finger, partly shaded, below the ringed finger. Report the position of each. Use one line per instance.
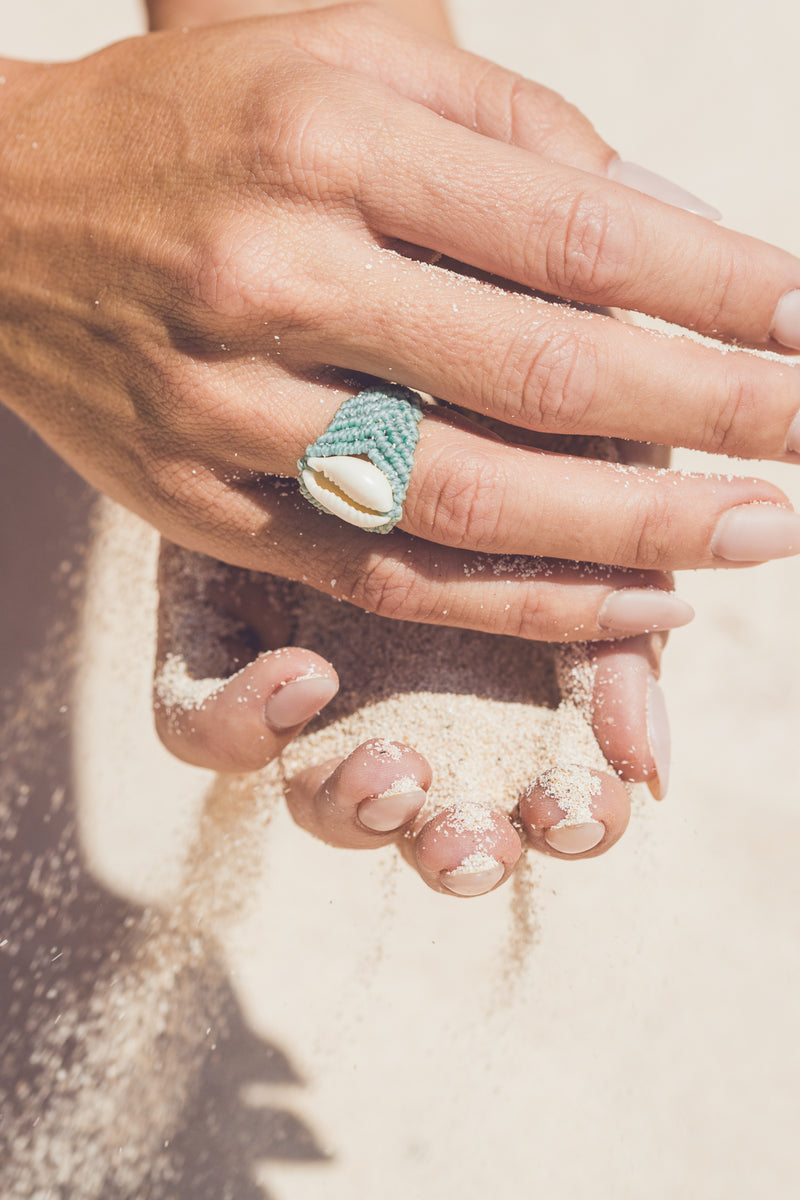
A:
(407, 579)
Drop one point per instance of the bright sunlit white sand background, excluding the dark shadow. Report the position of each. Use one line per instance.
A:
(649, 1047)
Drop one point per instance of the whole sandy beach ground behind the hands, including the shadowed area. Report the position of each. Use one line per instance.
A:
(250, 1015)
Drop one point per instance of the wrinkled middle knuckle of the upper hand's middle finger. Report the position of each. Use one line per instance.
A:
(556, 380)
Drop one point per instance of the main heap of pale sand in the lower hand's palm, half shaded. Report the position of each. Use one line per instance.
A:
(489, 713)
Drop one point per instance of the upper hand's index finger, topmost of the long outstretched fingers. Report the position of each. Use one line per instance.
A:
(570, 233)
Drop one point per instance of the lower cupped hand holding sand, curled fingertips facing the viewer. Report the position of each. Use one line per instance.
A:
(233, 692)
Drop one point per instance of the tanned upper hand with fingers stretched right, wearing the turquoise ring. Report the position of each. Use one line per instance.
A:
(212, 239)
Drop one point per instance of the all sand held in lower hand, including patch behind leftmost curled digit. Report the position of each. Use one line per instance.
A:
(490, 715)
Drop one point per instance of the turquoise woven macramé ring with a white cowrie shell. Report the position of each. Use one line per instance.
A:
(360, 467)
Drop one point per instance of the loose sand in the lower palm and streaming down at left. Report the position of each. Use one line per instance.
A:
(115, 1042)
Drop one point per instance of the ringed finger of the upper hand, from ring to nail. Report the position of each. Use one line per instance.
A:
(478, 495)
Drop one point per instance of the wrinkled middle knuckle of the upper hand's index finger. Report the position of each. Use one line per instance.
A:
(592, 247)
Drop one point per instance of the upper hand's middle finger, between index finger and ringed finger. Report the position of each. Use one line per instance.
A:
(558, 370)
